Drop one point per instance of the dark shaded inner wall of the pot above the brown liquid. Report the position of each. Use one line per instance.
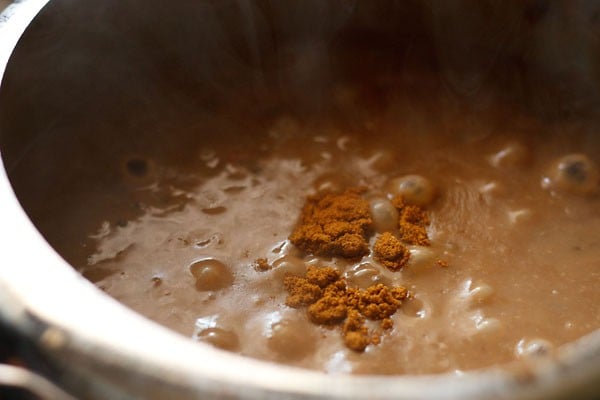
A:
(92, 85)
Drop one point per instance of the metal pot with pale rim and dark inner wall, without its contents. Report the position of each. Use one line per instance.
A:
(80, 78)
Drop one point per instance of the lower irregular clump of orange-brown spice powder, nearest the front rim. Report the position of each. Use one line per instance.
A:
(331, 302)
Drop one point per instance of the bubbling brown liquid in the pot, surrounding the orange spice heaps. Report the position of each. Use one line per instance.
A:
(523, 252)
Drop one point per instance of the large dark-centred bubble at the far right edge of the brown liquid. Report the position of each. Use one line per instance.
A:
(573, 173)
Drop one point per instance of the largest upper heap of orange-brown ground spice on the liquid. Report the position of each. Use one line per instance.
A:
(334, 225)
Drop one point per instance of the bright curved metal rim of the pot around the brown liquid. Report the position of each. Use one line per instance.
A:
(50, 303)
